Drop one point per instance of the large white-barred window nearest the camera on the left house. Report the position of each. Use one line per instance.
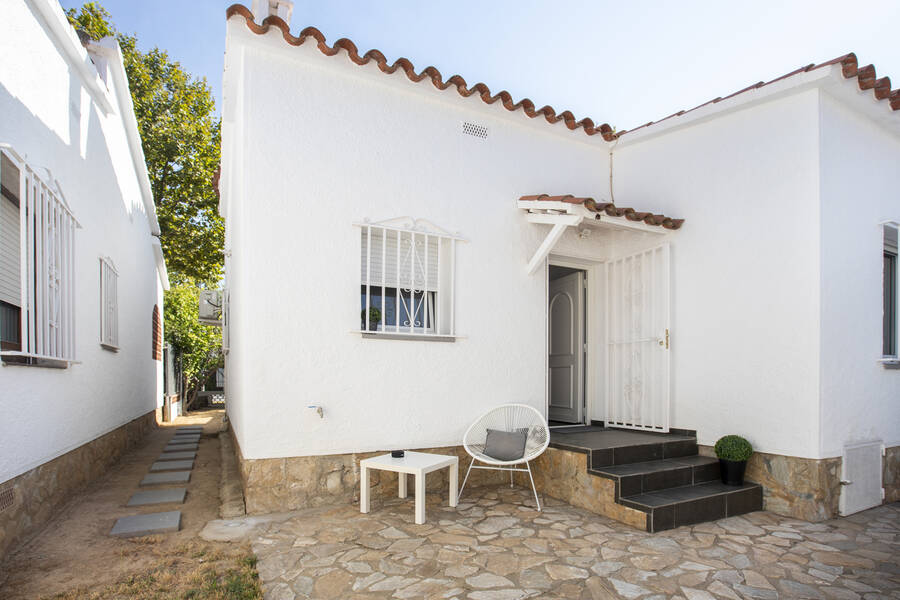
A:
(36, 266)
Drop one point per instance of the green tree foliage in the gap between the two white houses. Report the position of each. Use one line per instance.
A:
(180, 138)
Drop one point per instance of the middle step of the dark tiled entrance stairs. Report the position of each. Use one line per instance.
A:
(655, 475)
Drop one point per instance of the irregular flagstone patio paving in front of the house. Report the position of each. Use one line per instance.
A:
(495, 546)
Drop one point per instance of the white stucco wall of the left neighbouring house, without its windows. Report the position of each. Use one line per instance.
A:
(50, 119)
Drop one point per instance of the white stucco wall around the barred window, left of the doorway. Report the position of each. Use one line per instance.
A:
(325, 144)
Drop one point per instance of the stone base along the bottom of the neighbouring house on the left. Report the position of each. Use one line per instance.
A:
(36, 494)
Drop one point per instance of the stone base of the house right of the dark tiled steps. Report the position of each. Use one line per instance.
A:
(806, 488)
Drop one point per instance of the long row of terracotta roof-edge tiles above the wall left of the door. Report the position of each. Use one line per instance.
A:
(482, 90)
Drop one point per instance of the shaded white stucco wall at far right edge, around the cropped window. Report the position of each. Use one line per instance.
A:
(860, 188)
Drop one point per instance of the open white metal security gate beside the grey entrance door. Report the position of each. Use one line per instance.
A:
(638, 330)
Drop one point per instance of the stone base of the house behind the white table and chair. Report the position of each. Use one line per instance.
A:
(283, 484)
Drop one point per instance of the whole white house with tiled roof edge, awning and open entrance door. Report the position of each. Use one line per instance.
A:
(750, 290)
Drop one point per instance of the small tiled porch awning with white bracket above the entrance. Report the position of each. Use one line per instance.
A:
(571, 211)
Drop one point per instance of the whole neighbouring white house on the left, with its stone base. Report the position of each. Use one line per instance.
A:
(81, 268)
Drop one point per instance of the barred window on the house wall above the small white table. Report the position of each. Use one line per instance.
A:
(407, 279)
